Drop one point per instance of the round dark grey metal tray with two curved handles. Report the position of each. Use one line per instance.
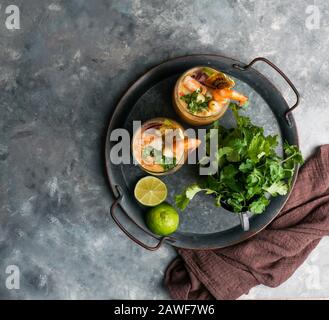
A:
(203, 226)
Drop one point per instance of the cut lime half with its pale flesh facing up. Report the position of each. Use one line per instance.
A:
(150, 191)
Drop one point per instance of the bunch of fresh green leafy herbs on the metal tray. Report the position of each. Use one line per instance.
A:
(249, 170)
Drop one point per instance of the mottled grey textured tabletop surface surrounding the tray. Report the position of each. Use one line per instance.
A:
(60, 77)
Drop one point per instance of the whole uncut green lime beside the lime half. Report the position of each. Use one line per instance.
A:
(162, 219)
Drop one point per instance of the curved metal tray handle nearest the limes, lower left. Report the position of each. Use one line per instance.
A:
(117, 203)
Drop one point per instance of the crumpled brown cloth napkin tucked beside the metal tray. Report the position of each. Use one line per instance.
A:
(268, 258)
